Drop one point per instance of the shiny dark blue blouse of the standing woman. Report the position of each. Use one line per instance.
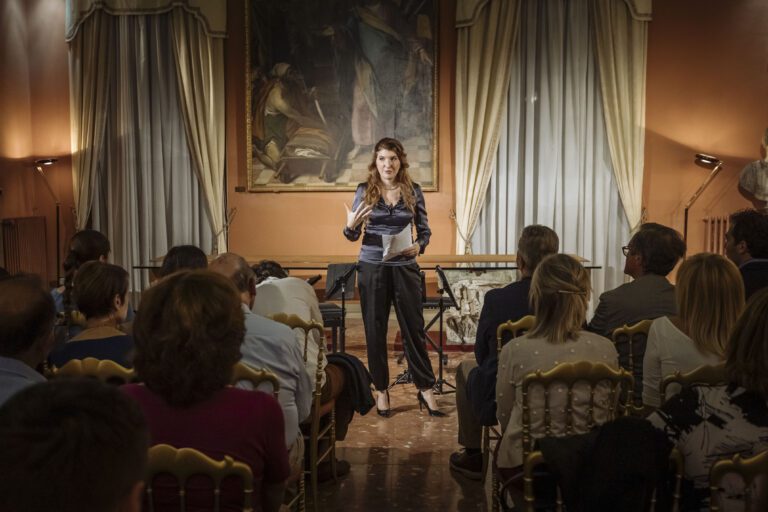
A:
(389, 220)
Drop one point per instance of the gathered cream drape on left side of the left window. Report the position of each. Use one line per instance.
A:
(89, 83)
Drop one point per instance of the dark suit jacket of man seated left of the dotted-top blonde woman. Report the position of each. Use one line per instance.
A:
(501, 305)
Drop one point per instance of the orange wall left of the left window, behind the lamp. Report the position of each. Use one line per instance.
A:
(34, 101)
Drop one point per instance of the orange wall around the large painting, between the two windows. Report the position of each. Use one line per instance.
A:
(312, 222)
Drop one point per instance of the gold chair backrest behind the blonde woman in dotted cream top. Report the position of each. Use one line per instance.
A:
(605, 387)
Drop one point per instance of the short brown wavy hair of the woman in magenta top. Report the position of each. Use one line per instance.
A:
(188, 334)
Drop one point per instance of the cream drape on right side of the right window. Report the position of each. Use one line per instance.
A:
(621, 42)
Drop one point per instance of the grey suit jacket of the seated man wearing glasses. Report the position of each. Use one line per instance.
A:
(647, 297)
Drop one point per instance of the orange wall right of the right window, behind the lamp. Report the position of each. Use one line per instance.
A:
(707, 92)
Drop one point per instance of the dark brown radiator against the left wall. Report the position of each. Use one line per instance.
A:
(24, 246)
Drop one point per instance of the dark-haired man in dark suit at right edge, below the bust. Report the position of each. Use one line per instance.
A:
(746, 244)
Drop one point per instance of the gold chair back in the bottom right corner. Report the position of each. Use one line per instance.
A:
(753, 472)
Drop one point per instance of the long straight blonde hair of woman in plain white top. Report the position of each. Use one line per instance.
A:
(710, 298)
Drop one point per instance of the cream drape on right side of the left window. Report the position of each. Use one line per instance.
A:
(200, 79)
